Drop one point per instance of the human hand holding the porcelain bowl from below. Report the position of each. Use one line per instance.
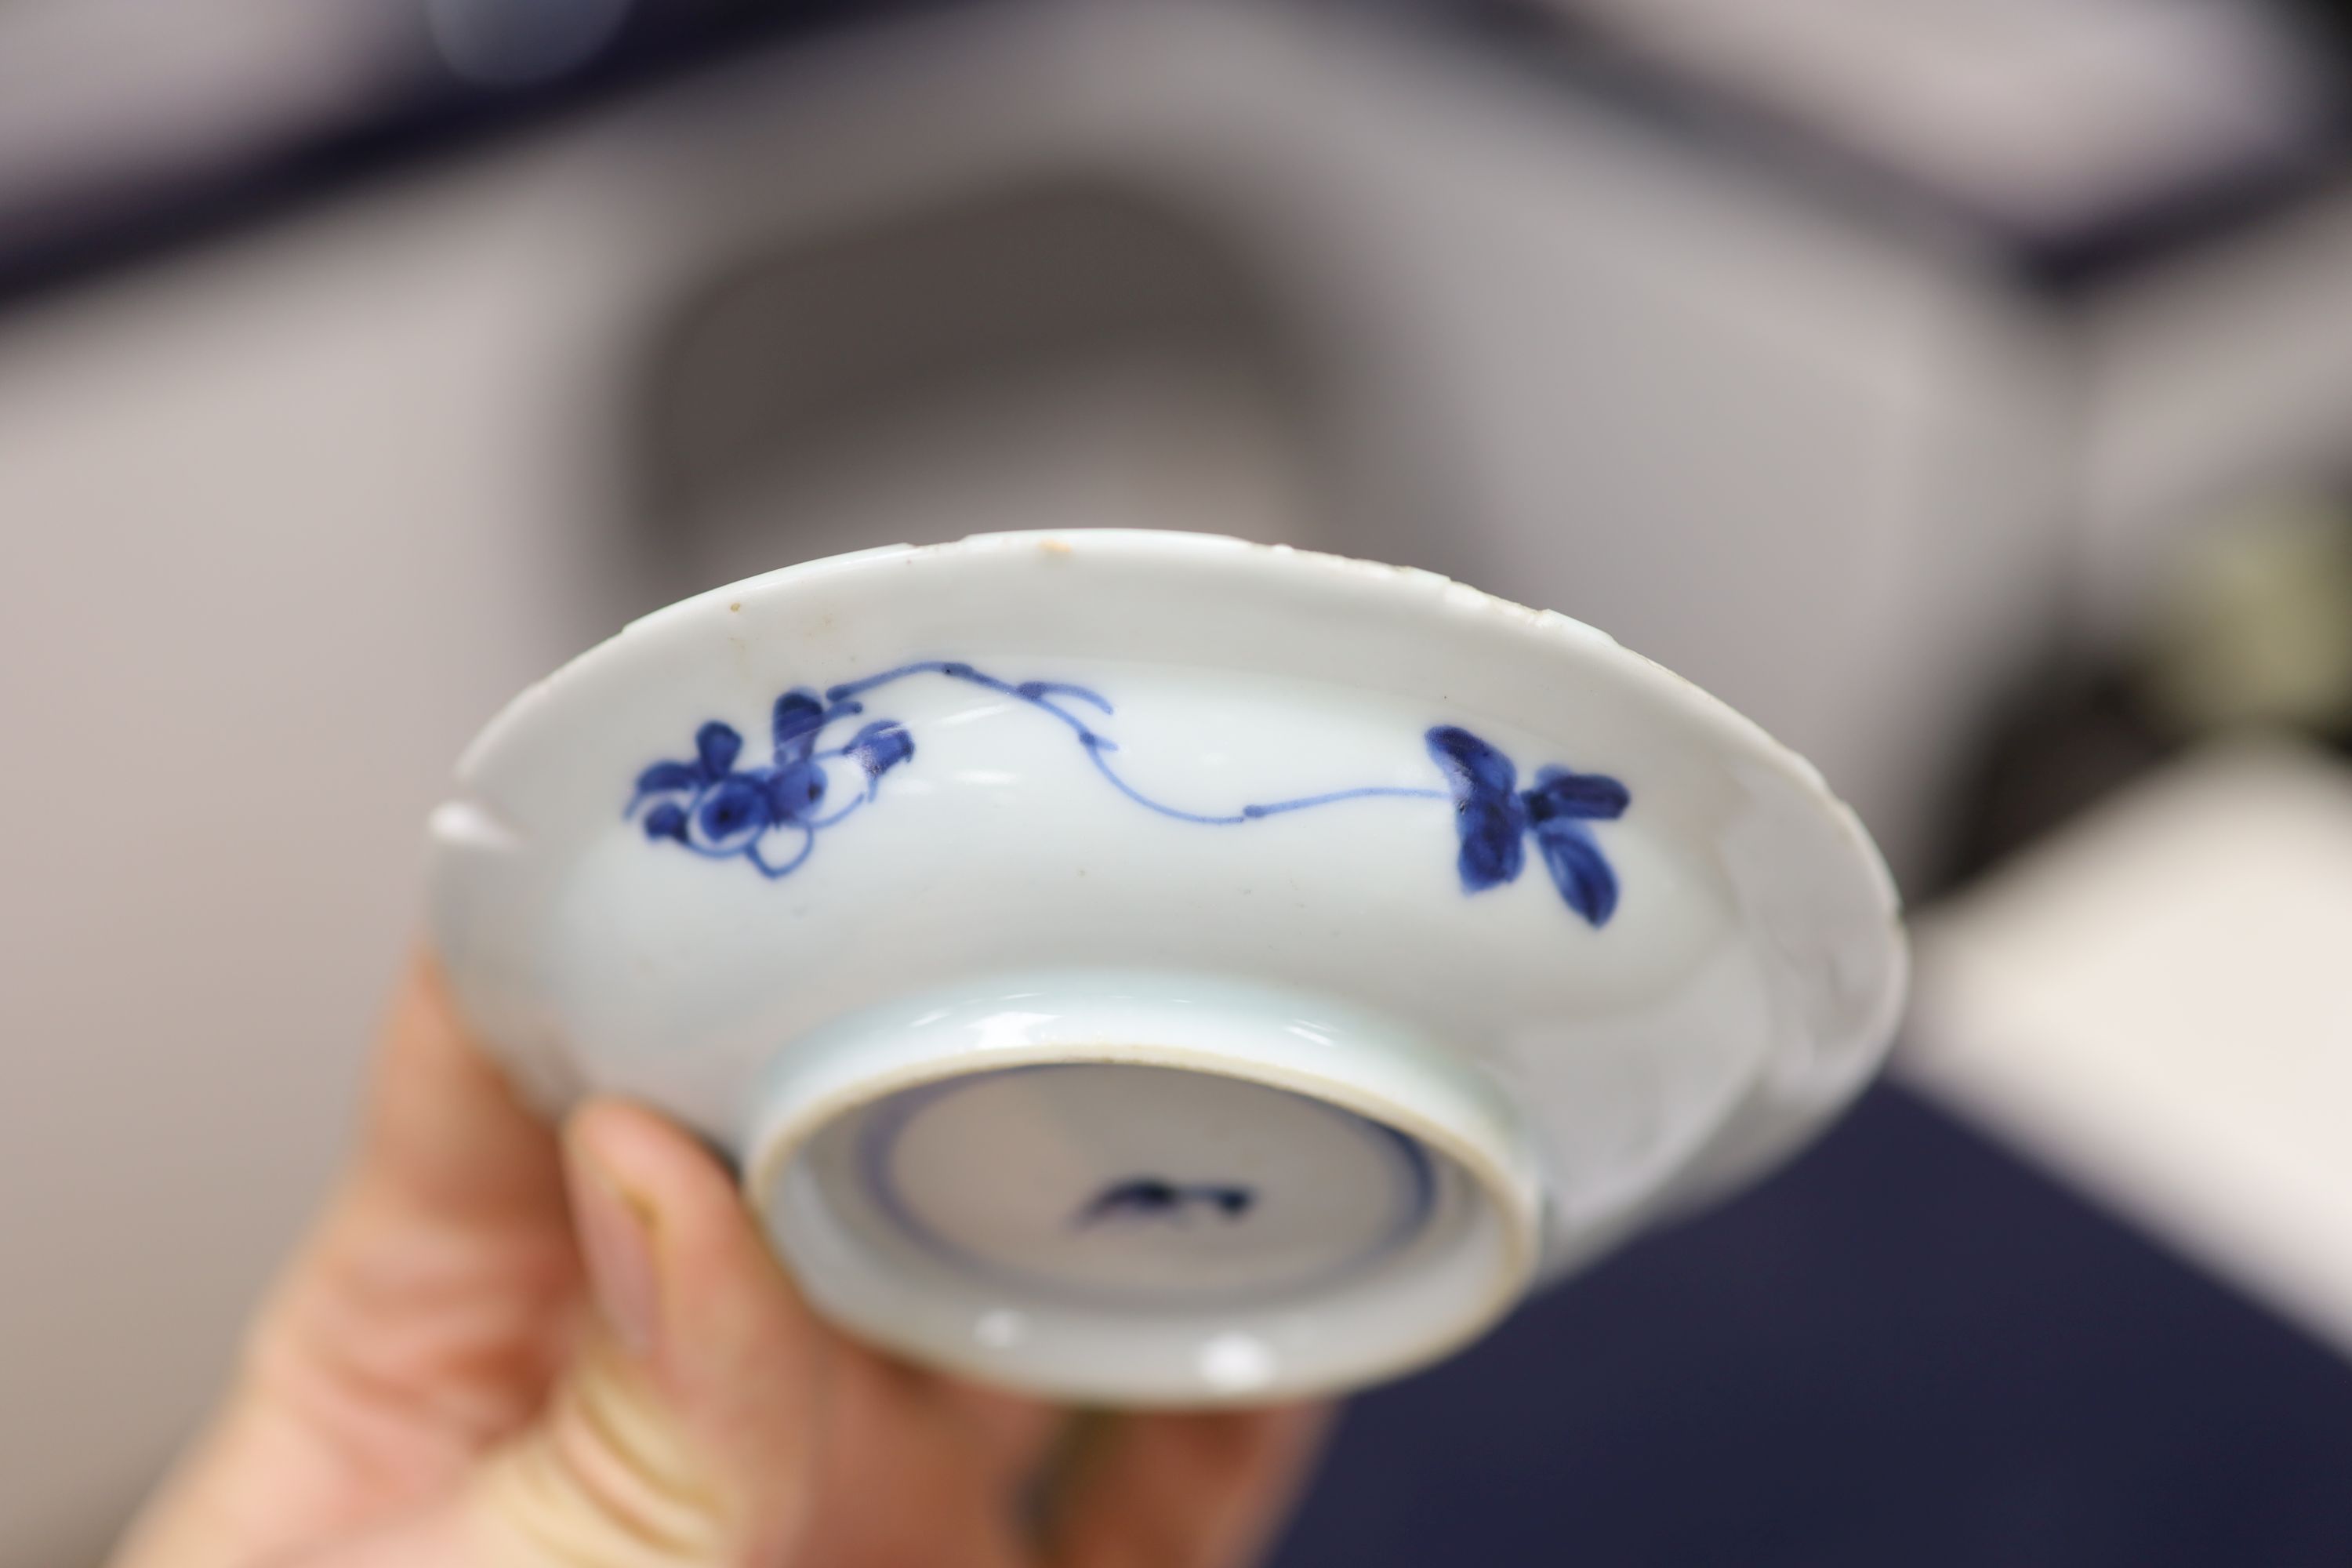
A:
(516, 1348)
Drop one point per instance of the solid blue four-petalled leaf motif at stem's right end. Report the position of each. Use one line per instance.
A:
(1495, 819)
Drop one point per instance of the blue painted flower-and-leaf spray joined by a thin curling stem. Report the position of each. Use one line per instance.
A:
(773, 812)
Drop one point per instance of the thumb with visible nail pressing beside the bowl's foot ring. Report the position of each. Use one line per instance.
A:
(686, 1430)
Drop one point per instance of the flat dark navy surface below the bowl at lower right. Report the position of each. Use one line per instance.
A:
(1904, 1351)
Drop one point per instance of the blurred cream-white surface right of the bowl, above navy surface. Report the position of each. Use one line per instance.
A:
(2153, 1005)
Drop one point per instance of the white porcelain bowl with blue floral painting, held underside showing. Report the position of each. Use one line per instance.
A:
(1163, 970)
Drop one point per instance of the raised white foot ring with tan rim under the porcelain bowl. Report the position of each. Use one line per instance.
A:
(1375, 1306)
